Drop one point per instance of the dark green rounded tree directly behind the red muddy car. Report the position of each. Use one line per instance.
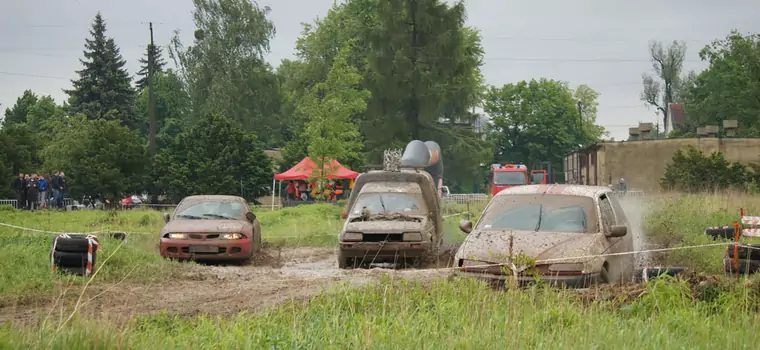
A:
(198, 163)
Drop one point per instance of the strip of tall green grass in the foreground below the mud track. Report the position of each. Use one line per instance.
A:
(457, 314)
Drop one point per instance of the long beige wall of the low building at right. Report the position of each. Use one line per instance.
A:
(642, 163)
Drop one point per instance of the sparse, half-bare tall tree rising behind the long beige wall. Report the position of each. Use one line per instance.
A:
(667, 64)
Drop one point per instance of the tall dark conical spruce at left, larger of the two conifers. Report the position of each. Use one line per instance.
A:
(103, 90)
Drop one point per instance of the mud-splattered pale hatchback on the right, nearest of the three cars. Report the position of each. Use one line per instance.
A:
(566, 230)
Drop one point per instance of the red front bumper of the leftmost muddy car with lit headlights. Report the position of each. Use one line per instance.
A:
(239, 249)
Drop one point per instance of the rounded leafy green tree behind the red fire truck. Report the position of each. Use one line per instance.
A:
(538, 121)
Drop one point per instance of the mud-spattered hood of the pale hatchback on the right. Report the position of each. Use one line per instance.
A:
(493, 246)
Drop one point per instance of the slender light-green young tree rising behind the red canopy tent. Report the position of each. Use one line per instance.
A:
(330, 132)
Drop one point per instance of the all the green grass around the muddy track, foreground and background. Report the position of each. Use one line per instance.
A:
(716, 313)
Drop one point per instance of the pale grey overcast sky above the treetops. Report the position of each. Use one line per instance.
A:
(601, 43)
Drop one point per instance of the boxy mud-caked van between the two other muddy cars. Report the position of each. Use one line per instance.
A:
(391, 217)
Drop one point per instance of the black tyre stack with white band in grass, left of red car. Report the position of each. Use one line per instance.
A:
(72, 253)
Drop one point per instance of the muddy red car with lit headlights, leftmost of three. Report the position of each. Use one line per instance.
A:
(211, 228)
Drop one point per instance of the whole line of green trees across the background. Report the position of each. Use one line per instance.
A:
(371, 75)
